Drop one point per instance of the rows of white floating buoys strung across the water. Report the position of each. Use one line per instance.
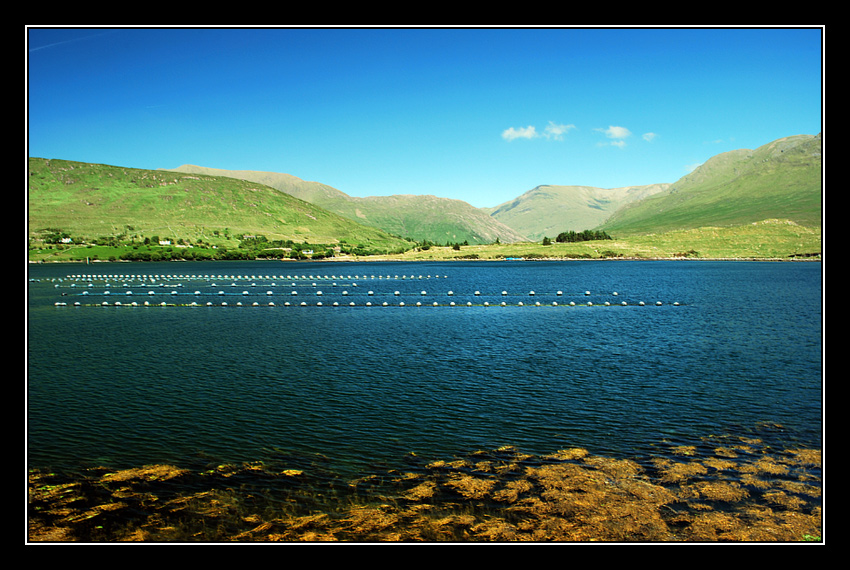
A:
(156, 285)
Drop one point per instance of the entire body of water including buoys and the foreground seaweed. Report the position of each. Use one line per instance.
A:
(348, 411)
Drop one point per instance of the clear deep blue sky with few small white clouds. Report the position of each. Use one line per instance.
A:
(480, 115)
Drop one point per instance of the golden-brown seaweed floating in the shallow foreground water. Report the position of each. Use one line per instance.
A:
(723, 488)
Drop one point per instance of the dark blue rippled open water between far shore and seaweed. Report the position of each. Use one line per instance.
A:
(733, 345)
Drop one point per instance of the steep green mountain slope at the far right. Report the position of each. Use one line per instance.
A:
(779, 180)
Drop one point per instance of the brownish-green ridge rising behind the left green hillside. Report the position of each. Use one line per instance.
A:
(421, 217)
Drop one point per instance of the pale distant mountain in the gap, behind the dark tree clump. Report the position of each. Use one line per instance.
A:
(548, 210)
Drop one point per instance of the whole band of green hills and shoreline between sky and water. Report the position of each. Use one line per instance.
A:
(746, 204)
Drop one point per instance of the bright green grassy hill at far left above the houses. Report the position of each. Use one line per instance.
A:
(93, 200)
